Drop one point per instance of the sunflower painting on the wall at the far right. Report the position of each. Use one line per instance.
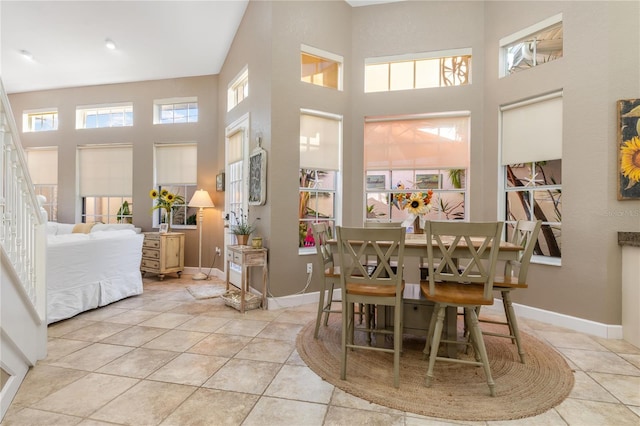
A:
(629, 149)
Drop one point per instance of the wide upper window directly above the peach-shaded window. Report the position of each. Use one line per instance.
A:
(418, 71)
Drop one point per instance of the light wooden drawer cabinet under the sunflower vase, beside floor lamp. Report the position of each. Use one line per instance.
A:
(162, 253)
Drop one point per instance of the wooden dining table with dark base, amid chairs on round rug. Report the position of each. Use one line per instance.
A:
(416, 309)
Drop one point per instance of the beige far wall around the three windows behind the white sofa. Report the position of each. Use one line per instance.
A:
(142, 135)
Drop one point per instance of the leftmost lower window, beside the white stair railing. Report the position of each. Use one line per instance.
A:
(43, 169)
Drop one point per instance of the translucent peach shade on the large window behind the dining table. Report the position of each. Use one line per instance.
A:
(420, 143)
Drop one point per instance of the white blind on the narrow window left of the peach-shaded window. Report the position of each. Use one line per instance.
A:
(319, 142)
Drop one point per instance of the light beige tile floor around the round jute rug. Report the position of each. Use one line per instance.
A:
(163, 358)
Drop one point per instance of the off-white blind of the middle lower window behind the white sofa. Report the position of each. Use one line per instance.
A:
(105, 171)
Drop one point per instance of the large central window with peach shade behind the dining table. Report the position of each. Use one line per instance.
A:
(411, 154)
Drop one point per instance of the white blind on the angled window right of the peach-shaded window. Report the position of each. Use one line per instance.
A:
(532, 130)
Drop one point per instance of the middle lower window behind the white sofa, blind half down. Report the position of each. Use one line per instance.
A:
(105, 183)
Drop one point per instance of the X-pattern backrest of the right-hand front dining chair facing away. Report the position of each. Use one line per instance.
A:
(463, 252)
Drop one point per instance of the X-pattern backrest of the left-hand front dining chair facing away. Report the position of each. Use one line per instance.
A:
(387, 244)
